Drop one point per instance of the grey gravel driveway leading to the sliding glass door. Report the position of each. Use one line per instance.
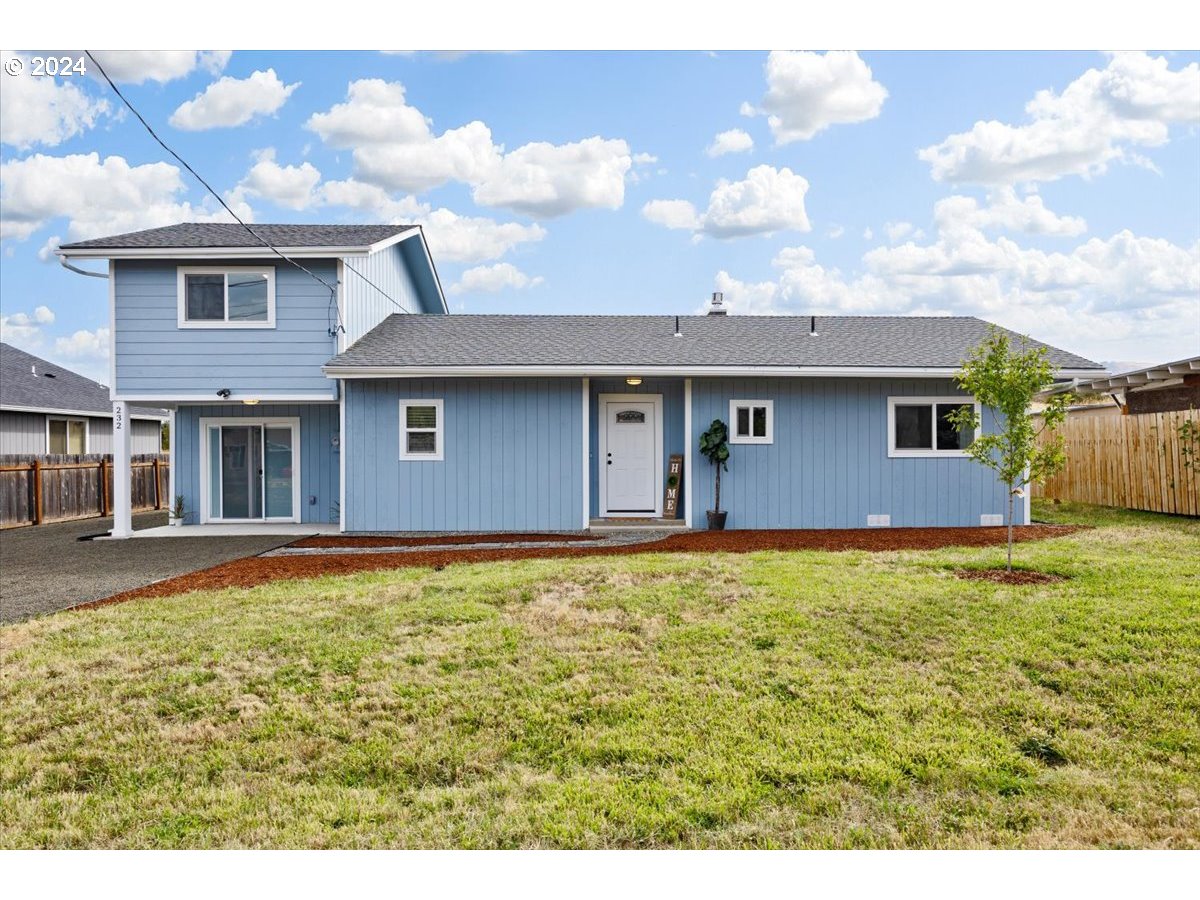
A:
(46, 568)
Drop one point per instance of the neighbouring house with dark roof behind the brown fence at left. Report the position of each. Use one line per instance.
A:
(50, 410)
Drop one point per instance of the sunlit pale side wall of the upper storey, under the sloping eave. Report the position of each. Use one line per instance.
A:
(364, 307)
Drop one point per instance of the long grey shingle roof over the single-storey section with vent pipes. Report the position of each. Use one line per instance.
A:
(637, 341)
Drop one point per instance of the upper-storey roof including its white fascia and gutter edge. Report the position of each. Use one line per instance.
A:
(231, 239)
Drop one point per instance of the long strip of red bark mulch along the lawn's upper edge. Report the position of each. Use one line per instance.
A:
(259, 571)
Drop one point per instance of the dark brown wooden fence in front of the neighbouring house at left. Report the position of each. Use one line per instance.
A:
(35, 490)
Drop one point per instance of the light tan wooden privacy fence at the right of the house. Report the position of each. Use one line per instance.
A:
(1133, 461)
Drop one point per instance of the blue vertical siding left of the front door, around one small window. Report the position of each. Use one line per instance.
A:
(513, 457)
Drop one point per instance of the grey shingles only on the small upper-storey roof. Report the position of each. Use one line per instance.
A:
(231, 235)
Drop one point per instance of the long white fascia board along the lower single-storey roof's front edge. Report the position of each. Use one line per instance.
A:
(646, 371)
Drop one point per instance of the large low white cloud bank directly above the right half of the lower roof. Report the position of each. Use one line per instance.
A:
(1105, 298)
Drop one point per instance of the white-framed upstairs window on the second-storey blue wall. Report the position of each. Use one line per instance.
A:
(226, 297)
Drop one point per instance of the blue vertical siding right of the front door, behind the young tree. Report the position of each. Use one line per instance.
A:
(829, 466)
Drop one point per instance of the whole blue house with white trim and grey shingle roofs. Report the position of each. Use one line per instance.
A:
(327, 385)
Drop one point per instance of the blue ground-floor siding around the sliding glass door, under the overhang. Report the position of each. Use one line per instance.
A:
(320, 463)
